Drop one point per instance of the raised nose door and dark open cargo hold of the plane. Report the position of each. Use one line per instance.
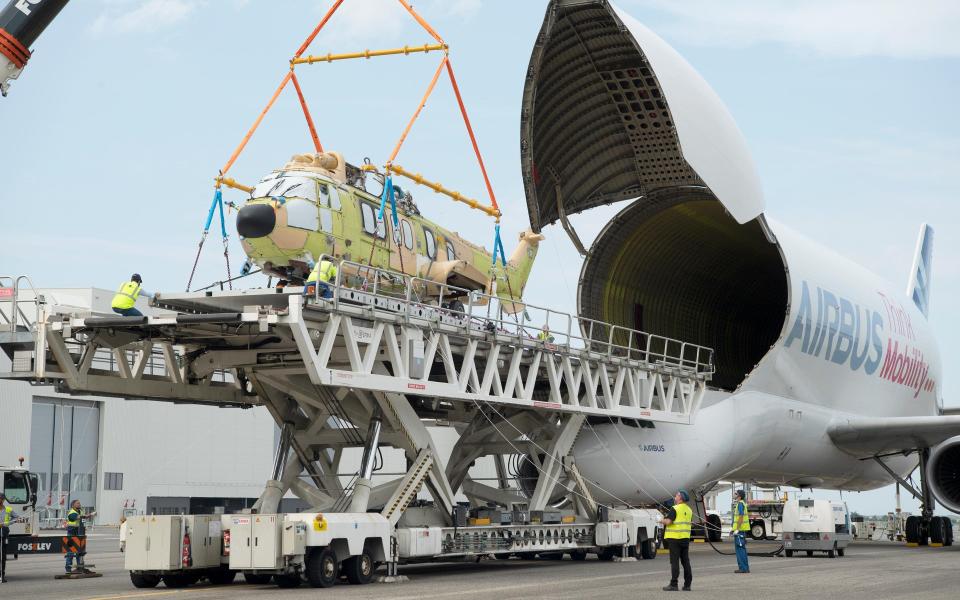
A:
(612, 113)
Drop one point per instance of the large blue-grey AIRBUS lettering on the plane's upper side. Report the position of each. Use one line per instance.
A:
(838, 330)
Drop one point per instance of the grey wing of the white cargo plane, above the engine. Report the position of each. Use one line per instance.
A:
(870, 436)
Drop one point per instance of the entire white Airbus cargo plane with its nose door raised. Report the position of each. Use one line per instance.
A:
(827, 376)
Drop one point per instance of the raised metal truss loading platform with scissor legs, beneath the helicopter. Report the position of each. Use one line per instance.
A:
(383, 349)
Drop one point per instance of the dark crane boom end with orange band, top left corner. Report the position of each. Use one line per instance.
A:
(21, 23)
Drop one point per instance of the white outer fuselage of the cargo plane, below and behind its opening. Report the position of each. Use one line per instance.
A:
(851, 346)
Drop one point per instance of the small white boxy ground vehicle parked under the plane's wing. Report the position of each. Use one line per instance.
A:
(816, 526)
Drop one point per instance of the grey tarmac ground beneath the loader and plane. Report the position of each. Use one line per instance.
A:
(869, 570)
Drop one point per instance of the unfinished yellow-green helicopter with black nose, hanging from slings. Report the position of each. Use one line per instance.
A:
(319, 205)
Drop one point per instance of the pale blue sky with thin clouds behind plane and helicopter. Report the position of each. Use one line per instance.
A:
(128, 109)
